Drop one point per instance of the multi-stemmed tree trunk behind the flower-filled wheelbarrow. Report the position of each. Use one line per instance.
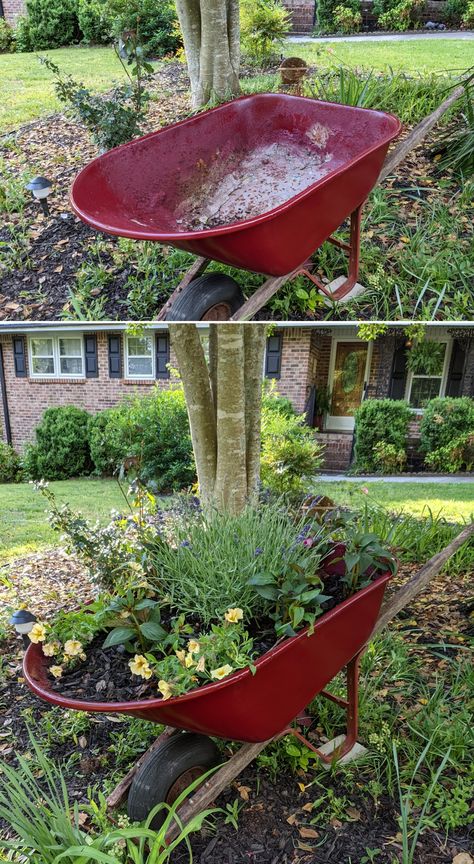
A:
(223, 398)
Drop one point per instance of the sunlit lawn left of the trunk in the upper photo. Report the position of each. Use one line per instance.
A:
(26, 87)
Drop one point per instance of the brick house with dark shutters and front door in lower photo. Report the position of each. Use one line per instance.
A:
(69, 363)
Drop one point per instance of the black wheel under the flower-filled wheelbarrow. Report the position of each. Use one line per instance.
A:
(167, 772)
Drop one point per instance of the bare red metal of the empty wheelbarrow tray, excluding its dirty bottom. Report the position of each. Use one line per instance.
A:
(136, 190)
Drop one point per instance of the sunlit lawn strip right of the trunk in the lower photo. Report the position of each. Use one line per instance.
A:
(455, 501)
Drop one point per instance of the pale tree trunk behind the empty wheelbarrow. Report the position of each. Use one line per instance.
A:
(211, 33)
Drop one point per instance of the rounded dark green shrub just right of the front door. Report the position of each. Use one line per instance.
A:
(379, 420)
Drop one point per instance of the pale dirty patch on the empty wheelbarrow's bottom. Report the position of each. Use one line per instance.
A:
(245, 184)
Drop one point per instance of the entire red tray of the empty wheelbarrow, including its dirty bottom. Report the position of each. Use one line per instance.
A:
(299, 168)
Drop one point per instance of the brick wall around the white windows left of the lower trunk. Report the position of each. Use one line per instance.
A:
(28, 398)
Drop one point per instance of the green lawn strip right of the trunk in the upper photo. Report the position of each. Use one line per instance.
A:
(423, 55)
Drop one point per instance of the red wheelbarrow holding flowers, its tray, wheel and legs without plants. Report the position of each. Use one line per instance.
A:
(254, 708)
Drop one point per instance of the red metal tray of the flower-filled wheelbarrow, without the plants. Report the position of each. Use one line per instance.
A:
(246, 707)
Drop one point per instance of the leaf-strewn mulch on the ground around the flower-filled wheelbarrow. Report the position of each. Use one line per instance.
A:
(273, 825)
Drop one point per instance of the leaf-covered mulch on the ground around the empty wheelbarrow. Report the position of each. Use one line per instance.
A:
(55, 248)
